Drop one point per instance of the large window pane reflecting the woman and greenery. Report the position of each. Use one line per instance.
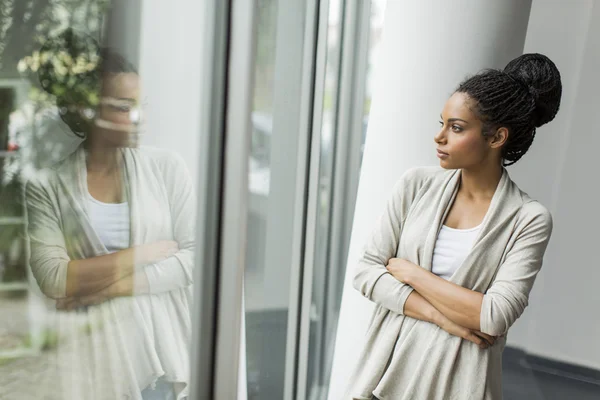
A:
(98, 163)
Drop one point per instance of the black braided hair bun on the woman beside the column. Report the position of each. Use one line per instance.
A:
(540, 75)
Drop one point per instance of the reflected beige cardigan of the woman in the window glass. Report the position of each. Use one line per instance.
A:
(116, 349)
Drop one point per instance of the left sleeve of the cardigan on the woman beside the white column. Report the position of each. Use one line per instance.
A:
(371, 278)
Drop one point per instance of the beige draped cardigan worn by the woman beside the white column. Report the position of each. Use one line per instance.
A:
(408, 359)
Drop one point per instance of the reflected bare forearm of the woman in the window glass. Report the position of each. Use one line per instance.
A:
(91, 275)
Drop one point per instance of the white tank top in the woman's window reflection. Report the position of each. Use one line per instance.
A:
(111, 223)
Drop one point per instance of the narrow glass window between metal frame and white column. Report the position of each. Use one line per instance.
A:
(353, 36)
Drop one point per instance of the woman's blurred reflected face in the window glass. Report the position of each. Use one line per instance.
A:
(118, 113)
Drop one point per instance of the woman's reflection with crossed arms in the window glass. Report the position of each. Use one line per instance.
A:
(111, 232)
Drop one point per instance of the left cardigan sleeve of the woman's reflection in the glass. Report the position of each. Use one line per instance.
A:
(48, 258)
